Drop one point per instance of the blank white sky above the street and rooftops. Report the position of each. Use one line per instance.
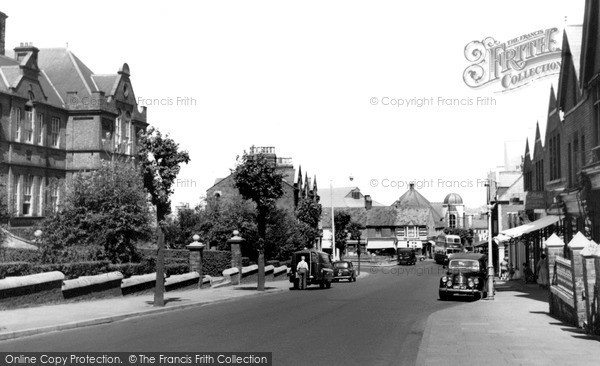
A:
(320, 81)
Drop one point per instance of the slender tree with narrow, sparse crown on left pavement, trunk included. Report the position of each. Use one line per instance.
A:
(160, 159)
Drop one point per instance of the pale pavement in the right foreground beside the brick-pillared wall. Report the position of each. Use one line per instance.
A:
(513, 329)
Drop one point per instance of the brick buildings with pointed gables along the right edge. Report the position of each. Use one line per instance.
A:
(562, 176)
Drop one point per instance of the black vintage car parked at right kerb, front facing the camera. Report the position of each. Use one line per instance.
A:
(466, 275)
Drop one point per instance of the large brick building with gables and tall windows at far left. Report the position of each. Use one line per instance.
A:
(57, 118)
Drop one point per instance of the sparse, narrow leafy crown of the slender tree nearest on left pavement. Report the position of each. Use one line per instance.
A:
(161, 161)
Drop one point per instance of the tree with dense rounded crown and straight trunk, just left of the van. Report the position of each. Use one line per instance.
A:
(257, 180)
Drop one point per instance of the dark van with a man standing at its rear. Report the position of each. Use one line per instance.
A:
(320, 268)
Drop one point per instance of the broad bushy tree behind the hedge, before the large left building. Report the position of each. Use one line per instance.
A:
(105, 212)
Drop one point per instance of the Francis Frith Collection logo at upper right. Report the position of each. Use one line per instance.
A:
(514, 63)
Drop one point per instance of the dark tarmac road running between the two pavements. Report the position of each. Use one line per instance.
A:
(378, 320)
